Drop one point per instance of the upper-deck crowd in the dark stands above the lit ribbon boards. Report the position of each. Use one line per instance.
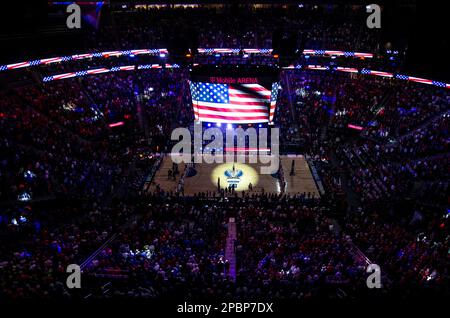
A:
(339, 28)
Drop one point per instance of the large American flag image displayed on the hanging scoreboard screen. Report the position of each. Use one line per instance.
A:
(228, 103)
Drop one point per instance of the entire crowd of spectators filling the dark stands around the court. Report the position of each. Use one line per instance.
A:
(69, 182)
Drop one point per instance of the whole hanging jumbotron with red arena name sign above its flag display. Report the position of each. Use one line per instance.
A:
(225, 97)
